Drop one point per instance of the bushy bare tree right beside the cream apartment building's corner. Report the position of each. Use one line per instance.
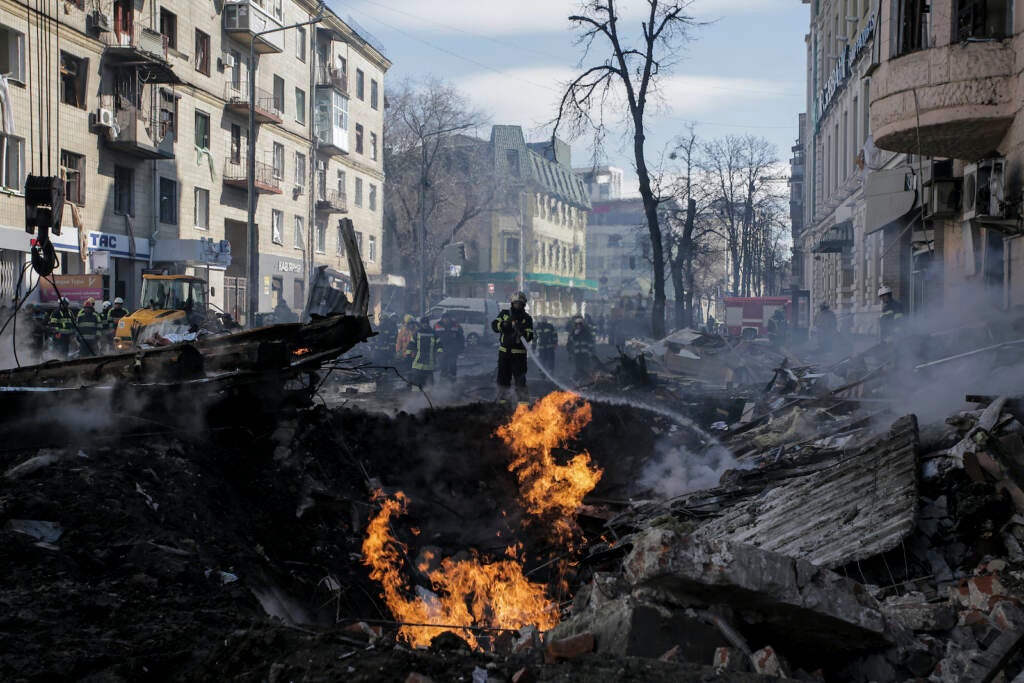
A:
(437, 176)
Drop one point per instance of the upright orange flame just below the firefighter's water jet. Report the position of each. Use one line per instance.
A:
(547, 489)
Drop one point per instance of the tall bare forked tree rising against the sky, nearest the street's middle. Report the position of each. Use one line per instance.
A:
(628, 71)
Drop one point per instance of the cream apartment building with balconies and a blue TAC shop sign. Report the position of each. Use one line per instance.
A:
(143, 108)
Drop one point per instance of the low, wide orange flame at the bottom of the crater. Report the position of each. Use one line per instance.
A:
(467, 592)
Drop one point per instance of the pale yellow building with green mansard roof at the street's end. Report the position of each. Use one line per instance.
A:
(540, 235)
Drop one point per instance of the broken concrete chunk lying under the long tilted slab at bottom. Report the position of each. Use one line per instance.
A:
(632, 627)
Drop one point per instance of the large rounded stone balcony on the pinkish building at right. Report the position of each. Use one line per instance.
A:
(965, 100)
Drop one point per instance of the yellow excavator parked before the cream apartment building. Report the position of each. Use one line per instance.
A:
(169, 304)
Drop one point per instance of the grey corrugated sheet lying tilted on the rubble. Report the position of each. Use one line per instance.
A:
(861, 507)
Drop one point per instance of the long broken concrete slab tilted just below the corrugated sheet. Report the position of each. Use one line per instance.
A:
(816, 606)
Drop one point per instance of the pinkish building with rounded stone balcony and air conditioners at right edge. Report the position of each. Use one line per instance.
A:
(948, 90)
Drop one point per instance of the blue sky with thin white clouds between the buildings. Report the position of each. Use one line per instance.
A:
(742, 73)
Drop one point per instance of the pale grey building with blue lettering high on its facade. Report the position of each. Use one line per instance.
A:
(858, 208)
